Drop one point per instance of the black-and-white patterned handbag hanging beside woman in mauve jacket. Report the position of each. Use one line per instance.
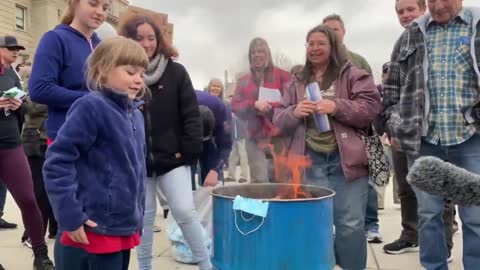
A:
(378, 164)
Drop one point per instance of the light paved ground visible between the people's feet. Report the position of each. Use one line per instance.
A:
(14, 256)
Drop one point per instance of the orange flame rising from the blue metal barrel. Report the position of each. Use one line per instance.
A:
(288, 169)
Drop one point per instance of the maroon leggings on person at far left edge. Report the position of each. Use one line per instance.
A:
(15, 174)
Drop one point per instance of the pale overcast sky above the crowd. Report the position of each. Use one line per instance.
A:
(213, 35)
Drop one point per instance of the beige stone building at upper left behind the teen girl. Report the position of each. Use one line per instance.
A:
(28, 20)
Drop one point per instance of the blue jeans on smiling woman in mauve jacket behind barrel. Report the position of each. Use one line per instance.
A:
(349, 206)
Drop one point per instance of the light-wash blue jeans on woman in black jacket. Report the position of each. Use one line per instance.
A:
(176, 186)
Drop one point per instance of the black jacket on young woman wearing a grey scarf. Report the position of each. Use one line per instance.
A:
(172, 122)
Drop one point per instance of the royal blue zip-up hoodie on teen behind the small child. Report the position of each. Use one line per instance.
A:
(58, 73)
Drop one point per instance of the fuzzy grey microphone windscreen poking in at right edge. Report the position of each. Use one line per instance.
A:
(437, 177)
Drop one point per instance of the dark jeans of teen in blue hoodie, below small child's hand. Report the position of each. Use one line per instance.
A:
(69, 258)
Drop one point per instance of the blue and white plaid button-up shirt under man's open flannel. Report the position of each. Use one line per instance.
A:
(452, 80)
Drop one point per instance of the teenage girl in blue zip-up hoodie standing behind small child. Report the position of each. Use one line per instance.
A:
(58, 79)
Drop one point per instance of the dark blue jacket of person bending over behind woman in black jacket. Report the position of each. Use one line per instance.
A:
(221, 132)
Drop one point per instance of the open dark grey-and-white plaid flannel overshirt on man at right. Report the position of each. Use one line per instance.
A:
(406, 97)
